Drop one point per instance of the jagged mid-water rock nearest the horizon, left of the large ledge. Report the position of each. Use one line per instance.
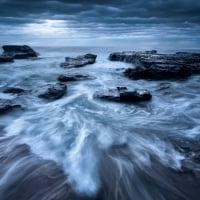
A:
(79, 61)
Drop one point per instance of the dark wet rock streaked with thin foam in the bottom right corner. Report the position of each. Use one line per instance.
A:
(158, 180)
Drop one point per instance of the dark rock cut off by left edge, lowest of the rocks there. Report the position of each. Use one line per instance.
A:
(7, 105)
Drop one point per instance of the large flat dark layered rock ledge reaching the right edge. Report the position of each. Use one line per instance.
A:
(151, 65)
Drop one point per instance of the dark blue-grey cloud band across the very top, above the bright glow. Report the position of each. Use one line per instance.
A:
(102, 10)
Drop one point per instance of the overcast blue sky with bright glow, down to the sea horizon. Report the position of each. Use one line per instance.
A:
(146, 23)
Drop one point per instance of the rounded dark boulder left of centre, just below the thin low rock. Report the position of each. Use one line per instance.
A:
(53, 91)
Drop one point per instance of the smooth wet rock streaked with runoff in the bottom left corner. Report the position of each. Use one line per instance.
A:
(27, 176)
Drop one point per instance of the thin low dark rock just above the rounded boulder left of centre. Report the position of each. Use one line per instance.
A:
(73, 77)
